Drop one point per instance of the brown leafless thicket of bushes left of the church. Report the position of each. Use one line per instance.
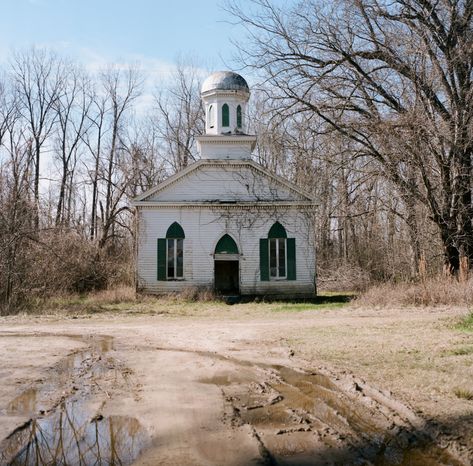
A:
(57, 263)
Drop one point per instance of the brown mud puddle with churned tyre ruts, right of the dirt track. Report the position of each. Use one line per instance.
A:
(301, 418)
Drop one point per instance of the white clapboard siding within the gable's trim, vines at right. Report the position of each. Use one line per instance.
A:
(232, 182)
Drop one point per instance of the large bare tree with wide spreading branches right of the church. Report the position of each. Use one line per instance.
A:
(395, 78)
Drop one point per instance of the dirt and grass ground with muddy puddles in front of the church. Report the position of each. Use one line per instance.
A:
(237, 385)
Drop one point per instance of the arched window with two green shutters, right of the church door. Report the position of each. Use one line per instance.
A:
(277, 255)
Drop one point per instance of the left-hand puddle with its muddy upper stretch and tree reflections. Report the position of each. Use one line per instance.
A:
(69, 429)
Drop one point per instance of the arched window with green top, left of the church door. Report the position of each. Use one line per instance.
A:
(171, 254)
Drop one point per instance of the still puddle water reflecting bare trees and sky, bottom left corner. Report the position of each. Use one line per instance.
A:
(71, 437)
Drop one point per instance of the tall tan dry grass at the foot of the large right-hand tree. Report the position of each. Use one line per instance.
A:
(432, 292)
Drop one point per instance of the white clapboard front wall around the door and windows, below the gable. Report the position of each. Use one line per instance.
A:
(203, 228)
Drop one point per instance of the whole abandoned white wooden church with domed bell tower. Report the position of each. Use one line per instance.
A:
(225, 221)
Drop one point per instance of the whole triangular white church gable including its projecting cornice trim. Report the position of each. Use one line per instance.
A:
(208, 180)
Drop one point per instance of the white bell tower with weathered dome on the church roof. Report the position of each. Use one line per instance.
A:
(225, 96)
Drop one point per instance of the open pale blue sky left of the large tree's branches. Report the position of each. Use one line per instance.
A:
(97, 32)
